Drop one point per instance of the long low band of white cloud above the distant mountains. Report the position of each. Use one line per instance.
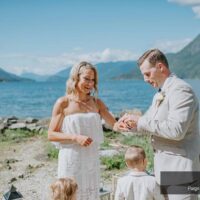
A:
(18, 63)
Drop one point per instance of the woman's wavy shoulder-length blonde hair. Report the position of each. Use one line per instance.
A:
(74, 77)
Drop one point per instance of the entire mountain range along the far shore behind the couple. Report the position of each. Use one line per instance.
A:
(185, 63)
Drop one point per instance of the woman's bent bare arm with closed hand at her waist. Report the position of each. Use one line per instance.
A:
(54, 131)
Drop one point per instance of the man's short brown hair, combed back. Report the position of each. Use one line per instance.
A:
(153, 56)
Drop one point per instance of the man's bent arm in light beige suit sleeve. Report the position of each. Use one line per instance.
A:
(181, 107)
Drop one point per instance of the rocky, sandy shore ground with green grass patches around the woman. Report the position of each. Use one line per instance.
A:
(26, 156)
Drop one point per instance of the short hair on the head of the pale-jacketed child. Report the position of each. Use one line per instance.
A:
(134, 155)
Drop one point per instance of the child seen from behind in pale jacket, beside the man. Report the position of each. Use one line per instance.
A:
(137, 184)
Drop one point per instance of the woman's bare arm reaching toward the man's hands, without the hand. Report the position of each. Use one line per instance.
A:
(105, 114)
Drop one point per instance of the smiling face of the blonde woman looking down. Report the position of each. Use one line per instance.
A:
(86, 81)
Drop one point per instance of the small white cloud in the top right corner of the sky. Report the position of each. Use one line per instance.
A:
(195, 4)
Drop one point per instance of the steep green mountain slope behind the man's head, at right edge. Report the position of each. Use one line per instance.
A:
(186, 63)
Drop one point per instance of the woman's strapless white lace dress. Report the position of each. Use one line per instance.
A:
(79, 162)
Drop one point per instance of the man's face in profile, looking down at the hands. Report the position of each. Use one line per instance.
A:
(152, 74)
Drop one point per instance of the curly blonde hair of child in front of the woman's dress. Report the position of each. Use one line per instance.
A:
(64, 189)
